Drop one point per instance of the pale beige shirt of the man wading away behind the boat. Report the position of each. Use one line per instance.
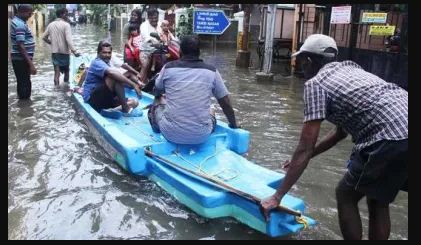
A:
(60, 35)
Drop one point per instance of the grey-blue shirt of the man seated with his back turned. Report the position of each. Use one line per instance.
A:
(189, 85)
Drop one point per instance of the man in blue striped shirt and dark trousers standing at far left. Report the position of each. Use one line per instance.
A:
(22, 52)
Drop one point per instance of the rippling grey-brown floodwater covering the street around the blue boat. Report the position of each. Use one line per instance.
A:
(63, 185)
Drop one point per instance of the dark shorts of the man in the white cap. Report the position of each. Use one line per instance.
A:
(378, 171)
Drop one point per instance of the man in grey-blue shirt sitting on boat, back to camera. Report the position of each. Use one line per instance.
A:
(185, 116)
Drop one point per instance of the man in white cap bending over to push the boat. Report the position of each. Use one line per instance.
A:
(375, 113)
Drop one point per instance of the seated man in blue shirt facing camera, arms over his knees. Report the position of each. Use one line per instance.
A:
(104, 84)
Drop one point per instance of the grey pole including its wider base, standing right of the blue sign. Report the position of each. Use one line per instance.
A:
(266, 75)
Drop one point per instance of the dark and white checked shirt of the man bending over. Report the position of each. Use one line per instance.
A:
(364, 105)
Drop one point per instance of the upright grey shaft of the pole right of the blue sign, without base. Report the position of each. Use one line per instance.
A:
(270, 28)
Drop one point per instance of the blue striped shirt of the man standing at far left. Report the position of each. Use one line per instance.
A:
(20, 32)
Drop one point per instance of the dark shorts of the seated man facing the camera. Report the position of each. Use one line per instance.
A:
(102, 98)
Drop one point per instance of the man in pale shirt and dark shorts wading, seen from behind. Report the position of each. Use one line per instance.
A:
(59, 35)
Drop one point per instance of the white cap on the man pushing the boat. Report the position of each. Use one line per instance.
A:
(317, 44)
